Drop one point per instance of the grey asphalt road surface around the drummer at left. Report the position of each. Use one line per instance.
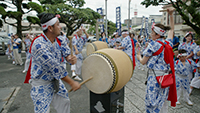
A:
(12, 76)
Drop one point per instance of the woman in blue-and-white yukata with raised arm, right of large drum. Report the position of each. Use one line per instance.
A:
(156, 96)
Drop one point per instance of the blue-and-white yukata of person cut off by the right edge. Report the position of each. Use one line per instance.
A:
(196, 80)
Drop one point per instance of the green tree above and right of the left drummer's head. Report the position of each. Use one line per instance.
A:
(71, 12)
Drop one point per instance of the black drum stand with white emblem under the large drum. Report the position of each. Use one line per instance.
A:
(107, 103)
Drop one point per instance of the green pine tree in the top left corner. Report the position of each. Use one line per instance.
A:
(8, 11)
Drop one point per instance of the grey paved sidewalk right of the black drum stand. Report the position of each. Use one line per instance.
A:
(135, 95)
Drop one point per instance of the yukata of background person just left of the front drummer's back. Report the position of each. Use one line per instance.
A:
(28, 56)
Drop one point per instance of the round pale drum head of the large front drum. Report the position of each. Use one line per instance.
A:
(97, 66)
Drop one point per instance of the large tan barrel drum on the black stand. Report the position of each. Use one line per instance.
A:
(111, 70)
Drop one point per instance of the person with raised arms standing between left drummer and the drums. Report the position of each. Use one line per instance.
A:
(78, 42)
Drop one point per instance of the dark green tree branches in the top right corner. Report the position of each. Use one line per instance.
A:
(185, 8)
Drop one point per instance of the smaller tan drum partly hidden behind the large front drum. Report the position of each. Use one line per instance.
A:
(94, 46)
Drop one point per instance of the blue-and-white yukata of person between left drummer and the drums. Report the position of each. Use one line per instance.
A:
(79, 42)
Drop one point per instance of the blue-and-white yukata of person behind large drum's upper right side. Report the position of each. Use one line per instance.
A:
(126, 42)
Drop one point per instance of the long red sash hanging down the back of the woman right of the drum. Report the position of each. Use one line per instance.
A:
(168, 57)
